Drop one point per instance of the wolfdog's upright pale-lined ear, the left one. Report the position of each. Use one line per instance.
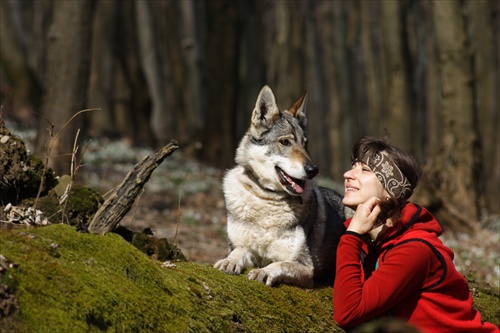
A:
(266, 110)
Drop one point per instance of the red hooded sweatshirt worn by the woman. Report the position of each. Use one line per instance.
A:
(408, 275)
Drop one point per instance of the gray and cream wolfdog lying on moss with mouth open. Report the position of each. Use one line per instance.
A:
(278, 220)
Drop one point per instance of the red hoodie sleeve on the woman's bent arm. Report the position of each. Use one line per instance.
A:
(356, 301)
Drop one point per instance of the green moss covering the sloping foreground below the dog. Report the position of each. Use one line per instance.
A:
(74, 282)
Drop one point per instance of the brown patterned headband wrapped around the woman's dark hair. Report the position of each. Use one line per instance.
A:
(391, 177)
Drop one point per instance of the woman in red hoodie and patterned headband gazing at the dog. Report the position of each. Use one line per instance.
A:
(390, 261)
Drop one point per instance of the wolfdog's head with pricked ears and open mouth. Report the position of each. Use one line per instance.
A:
(274, 149)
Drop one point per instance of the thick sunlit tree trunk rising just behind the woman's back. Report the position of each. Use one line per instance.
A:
(453, 169)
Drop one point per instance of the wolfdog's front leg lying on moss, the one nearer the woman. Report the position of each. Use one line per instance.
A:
(284, 272)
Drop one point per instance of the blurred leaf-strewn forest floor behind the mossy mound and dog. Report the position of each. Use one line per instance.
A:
(183, 202)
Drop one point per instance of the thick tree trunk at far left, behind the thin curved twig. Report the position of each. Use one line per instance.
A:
(66, 81)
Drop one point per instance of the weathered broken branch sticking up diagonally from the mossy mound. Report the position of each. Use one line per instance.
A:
(121, 200)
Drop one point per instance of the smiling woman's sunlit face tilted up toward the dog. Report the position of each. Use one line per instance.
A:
(360, 184)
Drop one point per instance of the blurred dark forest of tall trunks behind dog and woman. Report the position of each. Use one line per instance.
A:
(425, 72)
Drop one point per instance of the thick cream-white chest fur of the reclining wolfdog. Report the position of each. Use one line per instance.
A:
(265, 223)
